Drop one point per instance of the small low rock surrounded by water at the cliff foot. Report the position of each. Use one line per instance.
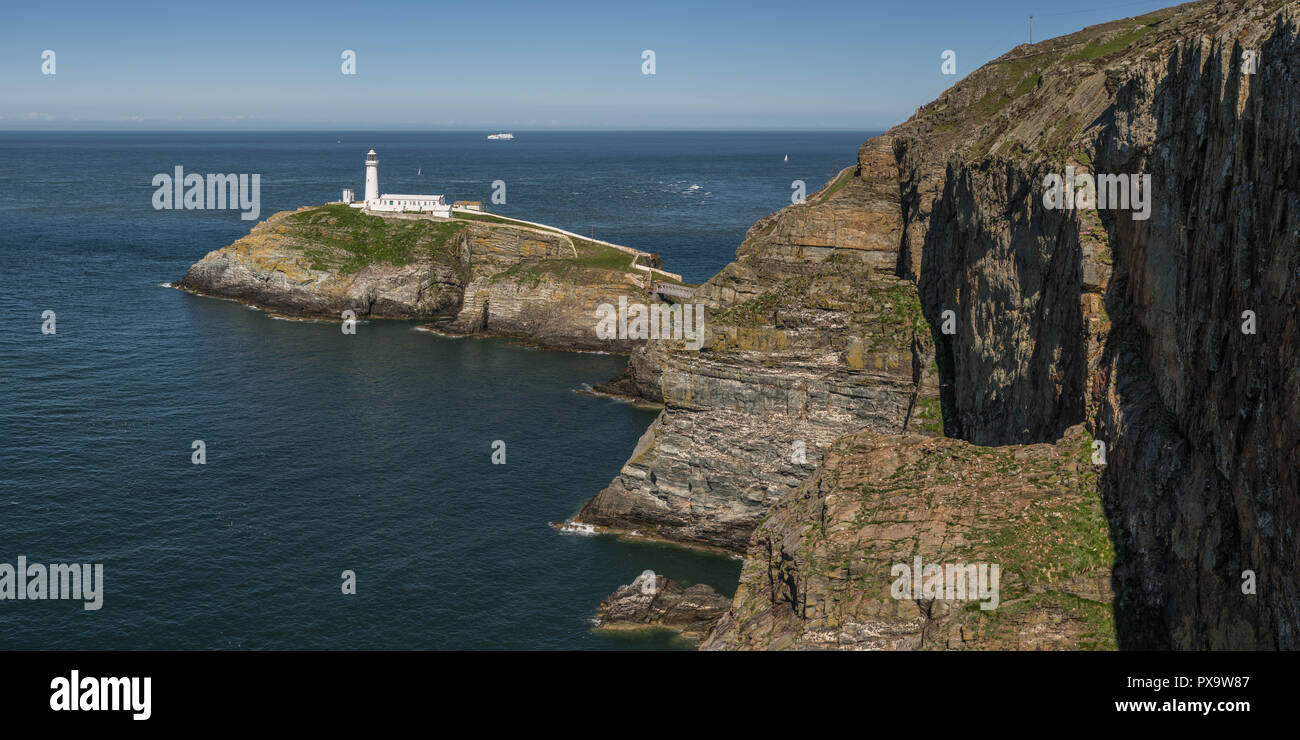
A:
(655, 601)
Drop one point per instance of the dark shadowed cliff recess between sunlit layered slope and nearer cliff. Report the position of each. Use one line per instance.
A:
(1012, 276)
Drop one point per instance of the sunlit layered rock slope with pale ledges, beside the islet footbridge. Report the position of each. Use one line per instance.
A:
(809, 336)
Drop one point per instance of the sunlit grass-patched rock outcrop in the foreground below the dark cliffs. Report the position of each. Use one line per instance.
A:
(821, 570)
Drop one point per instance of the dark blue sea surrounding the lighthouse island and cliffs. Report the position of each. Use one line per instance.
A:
(330, 453)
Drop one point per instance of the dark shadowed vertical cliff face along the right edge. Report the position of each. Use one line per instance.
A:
(1206, 416)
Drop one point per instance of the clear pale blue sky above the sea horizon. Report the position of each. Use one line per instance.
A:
(504, 66)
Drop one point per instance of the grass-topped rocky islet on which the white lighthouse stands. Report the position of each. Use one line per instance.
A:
(474, 276)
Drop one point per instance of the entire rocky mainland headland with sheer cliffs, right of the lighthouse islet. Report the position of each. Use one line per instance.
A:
(809, 431)
